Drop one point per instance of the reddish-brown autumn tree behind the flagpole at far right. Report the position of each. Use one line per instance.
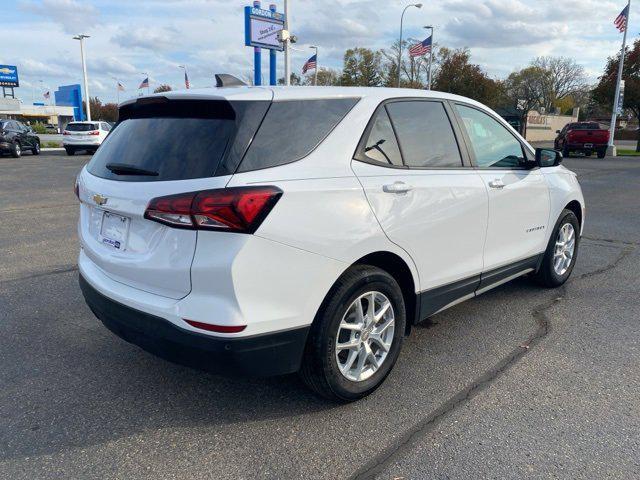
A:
(604, 93)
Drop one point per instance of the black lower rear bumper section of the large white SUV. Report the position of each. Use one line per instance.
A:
(269, 354)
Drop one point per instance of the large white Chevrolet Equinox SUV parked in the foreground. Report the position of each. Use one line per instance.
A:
(266, 231)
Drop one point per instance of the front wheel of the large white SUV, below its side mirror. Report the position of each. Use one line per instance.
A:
(562, 252)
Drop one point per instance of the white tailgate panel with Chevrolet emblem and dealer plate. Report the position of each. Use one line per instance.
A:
(129, 248)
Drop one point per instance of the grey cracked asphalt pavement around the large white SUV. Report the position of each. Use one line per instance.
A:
(520, 382)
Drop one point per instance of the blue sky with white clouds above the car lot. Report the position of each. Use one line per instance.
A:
(129, 37)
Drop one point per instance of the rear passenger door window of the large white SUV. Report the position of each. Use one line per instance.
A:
(425, 134)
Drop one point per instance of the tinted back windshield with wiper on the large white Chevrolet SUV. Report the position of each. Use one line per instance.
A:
(178, 139)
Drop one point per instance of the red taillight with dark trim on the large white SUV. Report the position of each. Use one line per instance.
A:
(237, 209)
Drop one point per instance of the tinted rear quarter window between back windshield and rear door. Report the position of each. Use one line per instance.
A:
(292, 129)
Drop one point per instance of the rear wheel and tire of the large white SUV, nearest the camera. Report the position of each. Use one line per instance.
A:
(356, 336)
